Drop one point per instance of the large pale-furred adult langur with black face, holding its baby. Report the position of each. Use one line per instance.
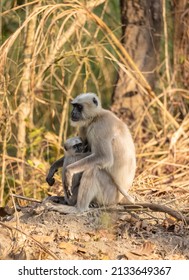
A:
(109, 170)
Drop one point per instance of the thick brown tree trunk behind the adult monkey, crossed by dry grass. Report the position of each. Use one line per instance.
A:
(141, 25)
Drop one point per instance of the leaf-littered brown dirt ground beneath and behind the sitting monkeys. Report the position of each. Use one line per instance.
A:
(100, 234)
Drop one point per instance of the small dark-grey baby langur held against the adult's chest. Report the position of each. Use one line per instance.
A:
(74, 150)
